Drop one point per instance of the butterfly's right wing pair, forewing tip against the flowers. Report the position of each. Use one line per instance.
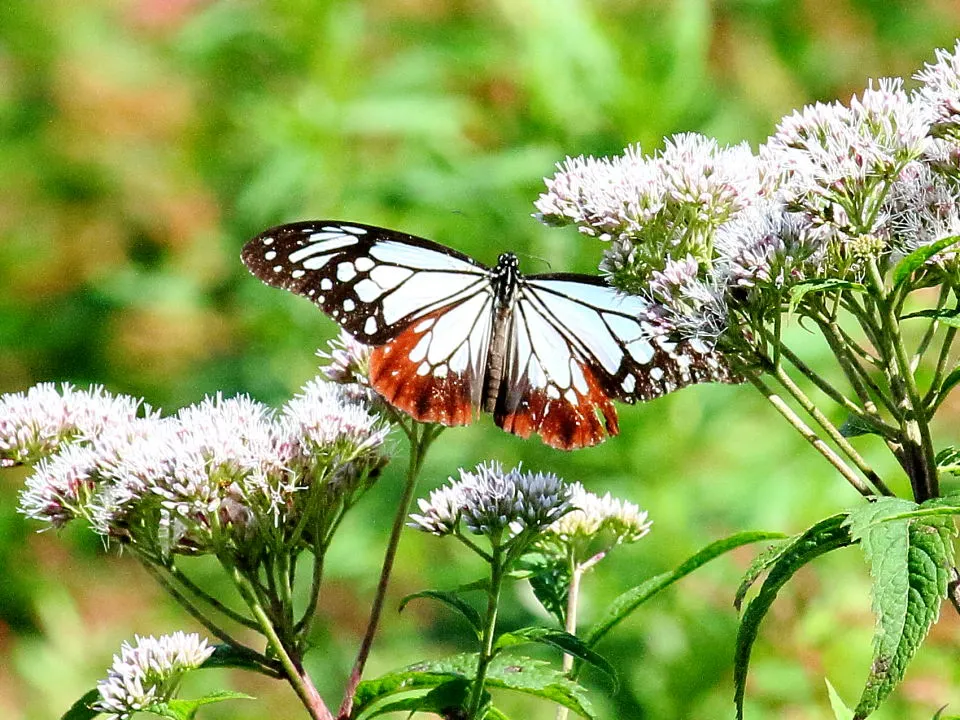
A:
(576, 344)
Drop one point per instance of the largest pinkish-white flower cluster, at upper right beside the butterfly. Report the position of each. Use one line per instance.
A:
(705, 231)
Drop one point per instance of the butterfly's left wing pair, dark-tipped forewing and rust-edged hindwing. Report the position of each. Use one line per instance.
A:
(426, 308)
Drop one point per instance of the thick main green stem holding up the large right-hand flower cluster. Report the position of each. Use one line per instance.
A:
(917, 441)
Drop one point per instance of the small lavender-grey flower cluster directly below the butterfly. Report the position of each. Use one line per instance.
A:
(491, 502)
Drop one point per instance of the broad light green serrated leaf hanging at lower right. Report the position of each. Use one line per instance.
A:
(909, 561)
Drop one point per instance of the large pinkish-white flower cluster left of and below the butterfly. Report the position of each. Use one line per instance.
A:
(218, 472)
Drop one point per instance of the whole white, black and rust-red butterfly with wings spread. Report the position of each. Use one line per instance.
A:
(544, 354)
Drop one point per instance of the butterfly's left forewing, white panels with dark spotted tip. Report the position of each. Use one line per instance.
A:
(374, 282)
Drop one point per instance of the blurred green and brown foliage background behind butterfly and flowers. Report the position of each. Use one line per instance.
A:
(143, 141)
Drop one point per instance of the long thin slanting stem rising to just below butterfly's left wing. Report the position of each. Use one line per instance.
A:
(419, 443)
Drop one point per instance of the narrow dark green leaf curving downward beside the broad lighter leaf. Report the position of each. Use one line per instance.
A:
(826, 535)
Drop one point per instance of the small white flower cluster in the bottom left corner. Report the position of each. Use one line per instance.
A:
(149, 672)
